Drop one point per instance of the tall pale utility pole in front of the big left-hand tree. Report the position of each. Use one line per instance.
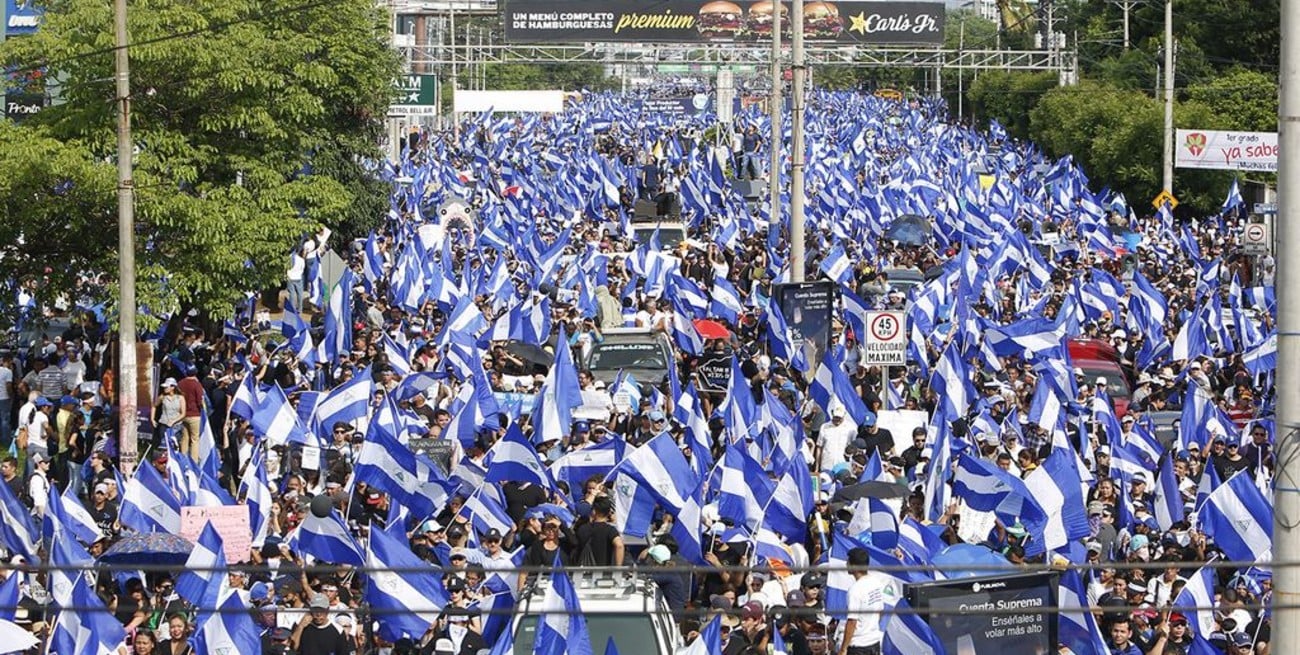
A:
(127, 426)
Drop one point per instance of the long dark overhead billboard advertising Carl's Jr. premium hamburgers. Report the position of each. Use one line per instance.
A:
(703, 21)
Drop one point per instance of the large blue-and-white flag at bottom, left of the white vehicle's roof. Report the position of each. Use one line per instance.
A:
(405, 596)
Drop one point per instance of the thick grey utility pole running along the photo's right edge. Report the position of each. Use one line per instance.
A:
(1286, 491)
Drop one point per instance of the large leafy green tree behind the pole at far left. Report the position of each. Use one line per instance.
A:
(253, 123)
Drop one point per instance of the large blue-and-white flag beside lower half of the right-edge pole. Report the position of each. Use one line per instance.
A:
(1240, 519)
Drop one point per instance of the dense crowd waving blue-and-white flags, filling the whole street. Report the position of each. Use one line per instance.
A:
(419, 342)
